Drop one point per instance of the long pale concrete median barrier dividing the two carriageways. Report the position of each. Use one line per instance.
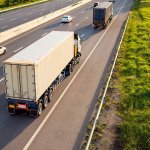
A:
(36, 22)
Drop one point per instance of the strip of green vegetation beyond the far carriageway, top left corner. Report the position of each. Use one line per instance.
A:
(5, 4)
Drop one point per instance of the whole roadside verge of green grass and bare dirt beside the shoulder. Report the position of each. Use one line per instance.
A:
(125, 120)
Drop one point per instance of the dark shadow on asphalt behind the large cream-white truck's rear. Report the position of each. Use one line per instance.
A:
(11, 126)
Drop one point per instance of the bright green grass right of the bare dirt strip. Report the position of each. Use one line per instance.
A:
(134, 75)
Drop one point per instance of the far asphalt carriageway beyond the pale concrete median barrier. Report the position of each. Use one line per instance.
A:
(17, 17)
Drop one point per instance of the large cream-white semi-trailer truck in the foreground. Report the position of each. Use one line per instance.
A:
(32, 74)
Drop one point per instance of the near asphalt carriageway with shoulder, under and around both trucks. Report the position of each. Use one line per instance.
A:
(66, 117)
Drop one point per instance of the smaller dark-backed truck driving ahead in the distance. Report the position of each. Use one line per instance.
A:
(102, 14)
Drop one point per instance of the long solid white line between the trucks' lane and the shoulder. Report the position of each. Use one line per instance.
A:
(63, 93)
